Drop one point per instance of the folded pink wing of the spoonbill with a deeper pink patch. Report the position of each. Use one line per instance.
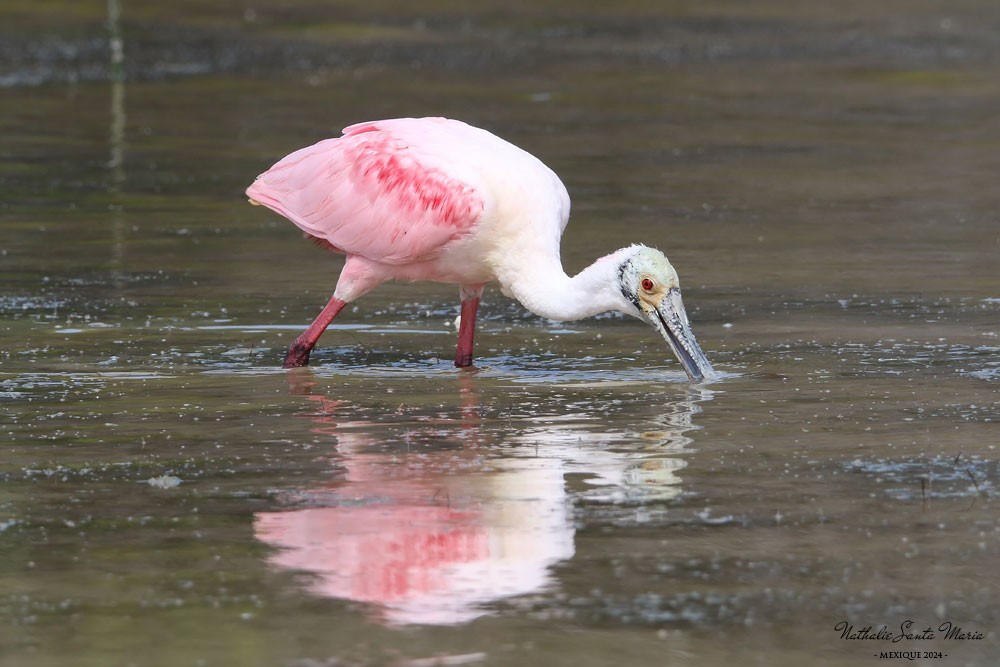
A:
(374, 192)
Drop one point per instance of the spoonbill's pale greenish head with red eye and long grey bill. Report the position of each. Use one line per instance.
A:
(651, 287)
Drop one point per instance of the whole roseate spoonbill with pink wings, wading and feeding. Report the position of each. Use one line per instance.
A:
(437, 199)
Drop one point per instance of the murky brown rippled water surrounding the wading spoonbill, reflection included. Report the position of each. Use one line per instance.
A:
(824, 182)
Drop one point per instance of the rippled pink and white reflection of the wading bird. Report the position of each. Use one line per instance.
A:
(433, 534)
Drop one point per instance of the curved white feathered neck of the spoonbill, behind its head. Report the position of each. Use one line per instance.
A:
(544, 288)
